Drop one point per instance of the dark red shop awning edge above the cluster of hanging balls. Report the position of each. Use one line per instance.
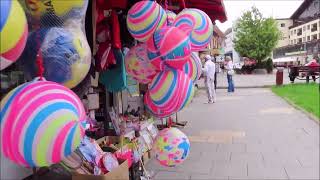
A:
(214, 8)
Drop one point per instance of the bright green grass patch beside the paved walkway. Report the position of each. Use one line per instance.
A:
(305, 96)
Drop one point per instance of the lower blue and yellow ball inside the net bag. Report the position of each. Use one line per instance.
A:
(66, 55)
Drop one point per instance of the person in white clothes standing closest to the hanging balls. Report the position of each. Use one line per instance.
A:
(209, 71)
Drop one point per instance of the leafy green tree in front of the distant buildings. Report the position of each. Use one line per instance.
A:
(255, 36)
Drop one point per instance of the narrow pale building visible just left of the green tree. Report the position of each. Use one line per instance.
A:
(229, 46)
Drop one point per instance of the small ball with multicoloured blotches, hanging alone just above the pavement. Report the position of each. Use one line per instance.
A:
(172, 147)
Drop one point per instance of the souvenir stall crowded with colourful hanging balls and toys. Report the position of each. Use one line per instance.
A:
(91, 89)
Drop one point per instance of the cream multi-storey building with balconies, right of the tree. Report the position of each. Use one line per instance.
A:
(301, 34)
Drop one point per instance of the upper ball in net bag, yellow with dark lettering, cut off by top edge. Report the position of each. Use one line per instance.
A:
(54, 12)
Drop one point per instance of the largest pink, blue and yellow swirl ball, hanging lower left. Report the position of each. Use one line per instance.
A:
(40, 123)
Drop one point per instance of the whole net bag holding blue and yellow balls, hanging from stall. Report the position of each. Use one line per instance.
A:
(56, 41)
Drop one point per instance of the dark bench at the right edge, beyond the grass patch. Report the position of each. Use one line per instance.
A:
(304, 73)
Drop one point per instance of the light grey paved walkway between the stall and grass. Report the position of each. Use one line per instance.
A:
(251, 134)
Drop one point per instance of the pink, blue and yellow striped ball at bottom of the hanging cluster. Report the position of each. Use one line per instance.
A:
(170, 91)
